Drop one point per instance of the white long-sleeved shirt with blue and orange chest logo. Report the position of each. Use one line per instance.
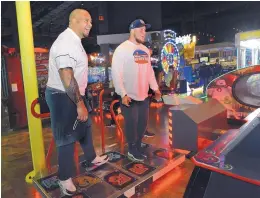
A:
(132, 72)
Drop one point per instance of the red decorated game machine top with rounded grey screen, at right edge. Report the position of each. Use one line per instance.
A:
(238, 91)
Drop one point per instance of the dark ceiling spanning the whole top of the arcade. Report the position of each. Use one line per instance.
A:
(220, 19)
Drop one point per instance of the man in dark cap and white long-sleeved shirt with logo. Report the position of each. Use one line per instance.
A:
(132, 75)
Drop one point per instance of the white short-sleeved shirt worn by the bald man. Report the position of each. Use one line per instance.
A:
(67, 51)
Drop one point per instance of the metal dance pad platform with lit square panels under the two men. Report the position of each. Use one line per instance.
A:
(120, 177)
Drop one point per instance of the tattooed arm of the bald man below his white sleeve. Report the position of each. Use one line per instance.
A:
(70, 84)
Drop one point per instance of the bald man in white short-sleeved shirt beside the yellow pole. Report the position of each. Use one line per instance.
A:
(67, 81)
